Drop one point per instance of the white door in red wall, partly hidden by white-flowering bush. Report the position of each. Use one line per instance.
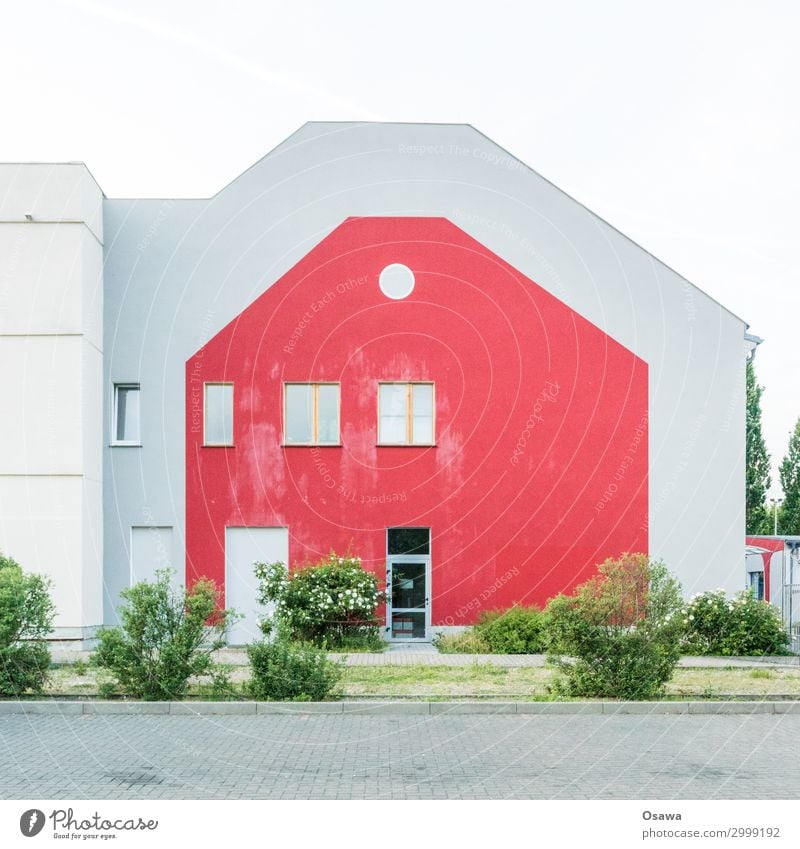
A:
(243, 548)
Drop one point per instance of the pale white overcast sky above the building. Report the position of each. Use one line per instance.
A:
(677, 122)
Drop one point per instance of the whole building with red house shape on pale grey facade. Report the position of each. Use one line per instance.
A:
(395, 339)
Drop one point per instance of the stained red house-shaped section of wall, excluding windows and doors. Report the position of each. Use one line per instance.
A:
(541, 464)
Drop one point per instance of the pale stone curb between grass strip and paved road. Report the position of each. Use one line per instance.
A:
(395, 708)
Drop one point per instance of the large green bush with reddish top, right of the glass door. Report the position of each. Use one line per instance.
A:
(618, 635)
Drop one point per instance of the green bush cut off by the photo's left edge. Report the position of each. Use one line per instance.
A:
(26, 618)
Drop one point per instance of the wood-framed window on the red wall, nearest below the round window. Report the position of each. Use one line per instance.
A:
(405, 414)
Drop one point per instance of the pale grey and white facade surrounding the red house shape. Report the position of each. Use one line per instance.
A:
(98, 294)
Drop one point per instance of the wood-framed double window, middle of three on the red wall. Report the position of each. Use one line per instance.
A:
(311, 414)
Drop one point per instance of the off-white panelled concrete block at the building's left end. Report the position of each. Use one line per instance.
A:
(51, 366)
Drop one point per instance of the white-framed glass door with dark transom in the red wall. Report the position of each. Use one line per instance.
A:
(408, 570)
